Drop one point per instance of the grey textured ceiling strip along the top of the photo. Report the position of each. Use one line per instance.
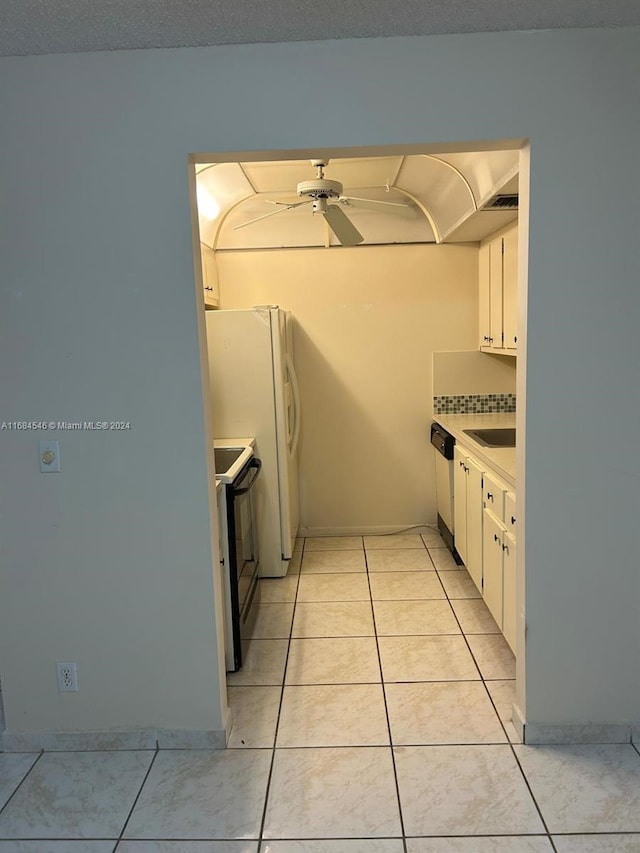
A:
(68, 26)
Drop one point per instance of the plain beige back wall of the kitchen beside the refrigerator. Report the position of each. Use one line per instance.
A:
(368, 322)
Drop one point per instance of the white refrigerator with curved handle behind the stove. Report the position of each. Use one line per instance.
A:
(255, 393)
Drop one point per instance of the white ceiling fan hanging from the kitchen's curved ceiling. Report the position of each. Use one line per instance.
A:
(317, 193)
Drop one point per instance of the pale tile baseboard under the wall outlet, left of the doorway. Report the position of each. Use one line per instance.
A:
(137, 739)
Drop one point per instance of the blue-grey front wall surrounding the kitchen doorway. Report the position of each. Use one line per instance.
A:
(98, 319)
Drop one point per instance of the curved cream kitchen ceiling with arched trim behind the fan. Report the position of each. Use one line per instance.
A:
(415, 198)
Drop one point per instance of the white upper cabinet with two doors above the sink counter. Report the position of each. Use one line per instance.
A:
(498, 283)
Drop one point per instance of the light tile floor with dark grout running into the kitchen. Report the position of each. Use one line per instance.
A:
(372, 716)
